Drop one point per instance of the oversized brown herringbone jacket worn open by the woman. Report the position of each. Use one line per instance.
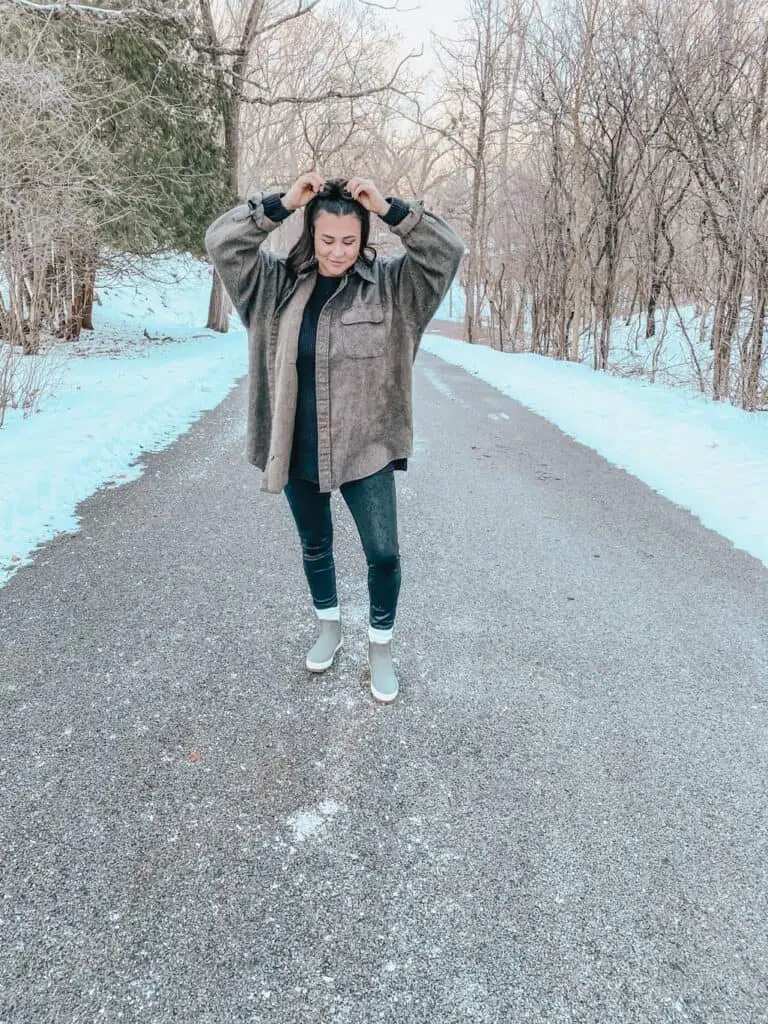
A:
(368, 336)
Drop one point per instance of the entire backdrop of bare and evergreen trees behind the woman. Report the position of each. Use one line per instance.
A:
(605, 160)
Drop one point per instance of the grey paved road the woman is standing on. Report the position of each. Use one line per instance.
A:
(565, 818)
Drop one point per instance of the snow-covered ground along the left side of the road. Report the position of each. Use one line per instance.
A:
(118, 394)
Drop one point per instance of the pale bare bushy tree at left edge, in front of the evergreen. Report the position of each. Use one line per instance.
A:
(48, 203)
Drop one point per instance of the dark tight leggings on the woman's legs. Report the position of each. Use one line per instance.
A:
(373, 504)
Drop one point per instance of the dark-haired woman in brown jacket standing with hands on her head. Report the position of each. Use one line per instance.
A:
(333, 332)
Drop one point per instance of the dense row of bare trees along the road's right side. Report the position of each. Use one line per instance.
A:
(616, 151)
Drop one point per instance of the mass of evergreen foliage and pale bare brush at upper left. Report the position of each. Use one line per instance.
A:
(135, 164)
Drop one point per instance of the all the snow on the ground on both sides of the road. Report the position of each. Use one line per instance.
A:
(119, 394)
